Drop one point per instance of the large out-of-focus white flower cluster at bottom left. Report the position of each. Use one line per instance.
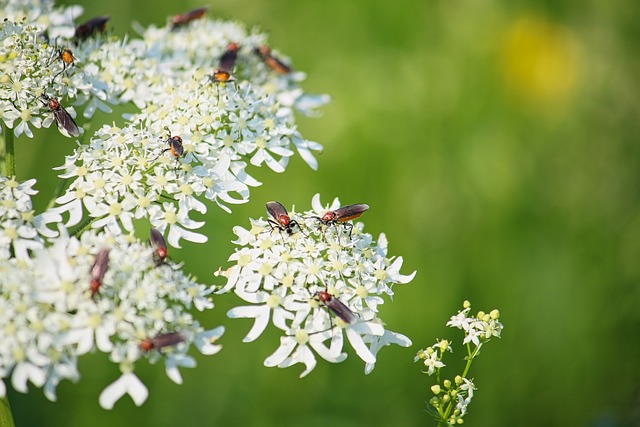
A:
(97, 293)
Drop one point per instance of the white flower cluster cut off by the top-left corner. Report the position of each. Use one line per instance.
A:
(32, 69)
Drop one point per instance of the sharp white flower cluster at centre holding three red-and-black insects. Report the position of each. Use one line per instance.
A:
(316, 284)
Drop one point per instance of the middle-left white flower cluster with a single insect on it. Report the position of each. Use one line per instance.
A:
(121, 176)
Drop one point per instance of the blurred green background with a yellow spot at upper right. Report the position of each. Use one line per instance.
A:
(497, 145)
